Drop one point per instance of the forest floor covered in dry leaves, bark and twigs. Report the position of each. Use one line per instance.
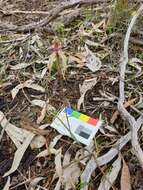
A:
(30, 96)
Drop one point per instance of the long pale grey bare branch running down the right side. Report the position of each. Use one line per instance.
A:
(124, 113)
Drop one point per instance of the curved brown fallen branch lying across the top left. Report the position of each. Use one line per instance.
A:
(53, 14)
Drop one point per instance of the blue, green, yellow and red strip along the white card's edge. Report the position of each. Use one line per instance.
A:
(70, 112)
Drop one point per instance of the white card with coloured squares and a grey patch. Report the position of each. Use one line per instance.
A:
(76, 125)
